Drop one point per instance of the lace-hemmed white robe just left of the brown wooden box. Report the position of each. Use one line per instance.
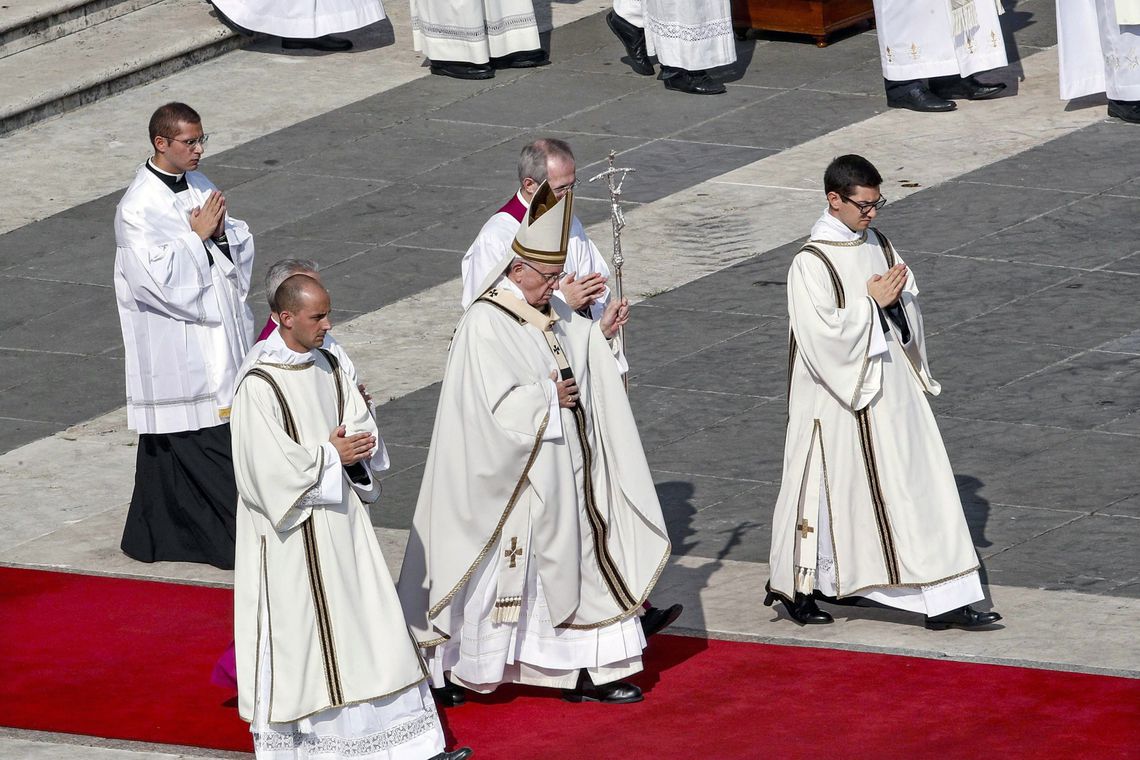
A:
(690, 35)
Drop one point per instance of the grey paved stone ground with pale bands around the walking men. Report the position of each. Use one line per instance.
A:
(1015, 216)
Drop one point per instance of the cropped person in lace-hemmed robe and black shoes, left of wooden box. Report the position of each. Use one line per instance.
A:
(688, 37)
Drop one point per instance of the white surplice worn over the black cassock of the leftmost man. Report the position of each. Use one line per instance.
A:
(186, 325)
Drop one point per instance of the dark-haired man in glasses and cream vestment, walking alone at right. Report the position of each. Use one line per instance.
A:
(868, 505)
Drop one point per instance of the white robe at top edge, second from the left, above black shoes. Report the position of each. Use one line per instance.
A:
(474, 31)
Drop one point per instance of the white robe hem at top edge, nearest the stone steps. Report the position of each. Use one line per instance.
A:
(304, 20)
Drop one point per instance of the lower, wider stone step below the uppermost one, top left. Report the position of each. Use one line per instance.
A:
(141, 46)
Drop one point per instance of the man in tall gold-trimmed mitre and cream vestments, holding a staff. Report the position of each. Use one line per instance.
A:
(539, 534)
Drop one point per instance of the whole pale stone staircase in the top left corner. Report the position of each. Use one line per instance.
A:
(59, 55)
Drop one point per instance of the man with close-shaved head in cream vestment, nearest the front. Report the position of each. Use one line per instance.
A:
(325, 664)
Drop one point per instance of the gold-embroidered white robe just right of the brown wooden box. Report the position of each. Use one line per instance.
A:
(919, 39)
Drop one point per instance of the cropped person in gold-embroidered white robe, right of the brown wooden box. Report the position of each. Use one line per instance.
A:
(932, 50)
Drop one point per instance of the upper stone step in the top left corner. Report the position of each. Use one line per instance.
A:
(30, 23)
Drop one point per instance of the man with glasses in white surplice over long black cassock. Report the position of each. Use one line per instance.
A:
(182, 275)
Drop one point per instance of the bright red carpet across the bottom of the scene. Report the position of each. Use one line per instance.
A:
(132, 660)
